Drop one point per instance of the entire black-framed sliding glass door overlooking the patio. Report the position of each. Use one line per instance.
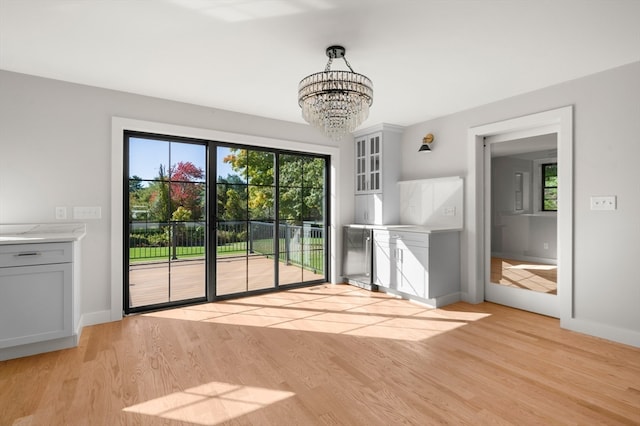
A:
(259, 226)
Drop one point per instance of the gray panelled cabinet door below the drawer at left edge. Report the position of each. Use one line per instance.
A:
(35, 303)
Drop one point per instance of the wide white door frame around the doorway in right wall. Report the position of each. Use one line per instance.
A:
(480, 221)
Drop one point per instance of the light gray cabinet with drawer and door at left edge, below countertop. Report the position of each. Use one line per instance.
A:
(37, 295)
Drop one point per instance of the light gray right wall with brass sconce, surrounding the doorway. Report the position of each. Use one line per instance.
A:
(606, 287)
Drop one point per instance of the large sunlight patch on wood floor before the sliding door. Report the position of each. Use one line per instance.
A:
(330, 309)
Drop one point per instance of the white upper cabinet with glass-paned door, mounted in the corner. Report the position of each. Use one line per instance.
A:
(377, 170)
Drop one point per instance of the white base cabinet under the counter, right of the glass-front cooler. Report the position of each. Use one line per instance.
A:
(420, 266)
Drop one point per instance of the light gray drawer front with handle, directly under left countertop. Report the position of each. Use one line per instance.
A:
(35, 254)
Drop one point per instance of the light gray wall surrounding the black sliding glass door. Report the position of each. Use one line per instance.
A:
(55, 150)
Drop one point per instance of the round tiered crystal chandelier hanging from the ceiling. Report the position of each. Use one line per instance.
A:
(336, 102)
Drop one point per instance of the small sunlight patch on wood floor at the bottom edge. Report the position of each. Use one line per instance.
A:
(211, 403)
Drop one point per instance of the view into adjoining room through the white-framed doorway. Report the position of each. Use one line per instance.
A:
(523, 209)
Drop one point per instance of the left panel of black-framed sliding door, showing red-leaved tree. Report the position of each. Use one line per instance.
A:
(166, 249)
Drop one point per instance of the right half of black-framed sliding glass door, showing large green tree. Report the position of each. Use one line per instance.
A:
(270, 227)
